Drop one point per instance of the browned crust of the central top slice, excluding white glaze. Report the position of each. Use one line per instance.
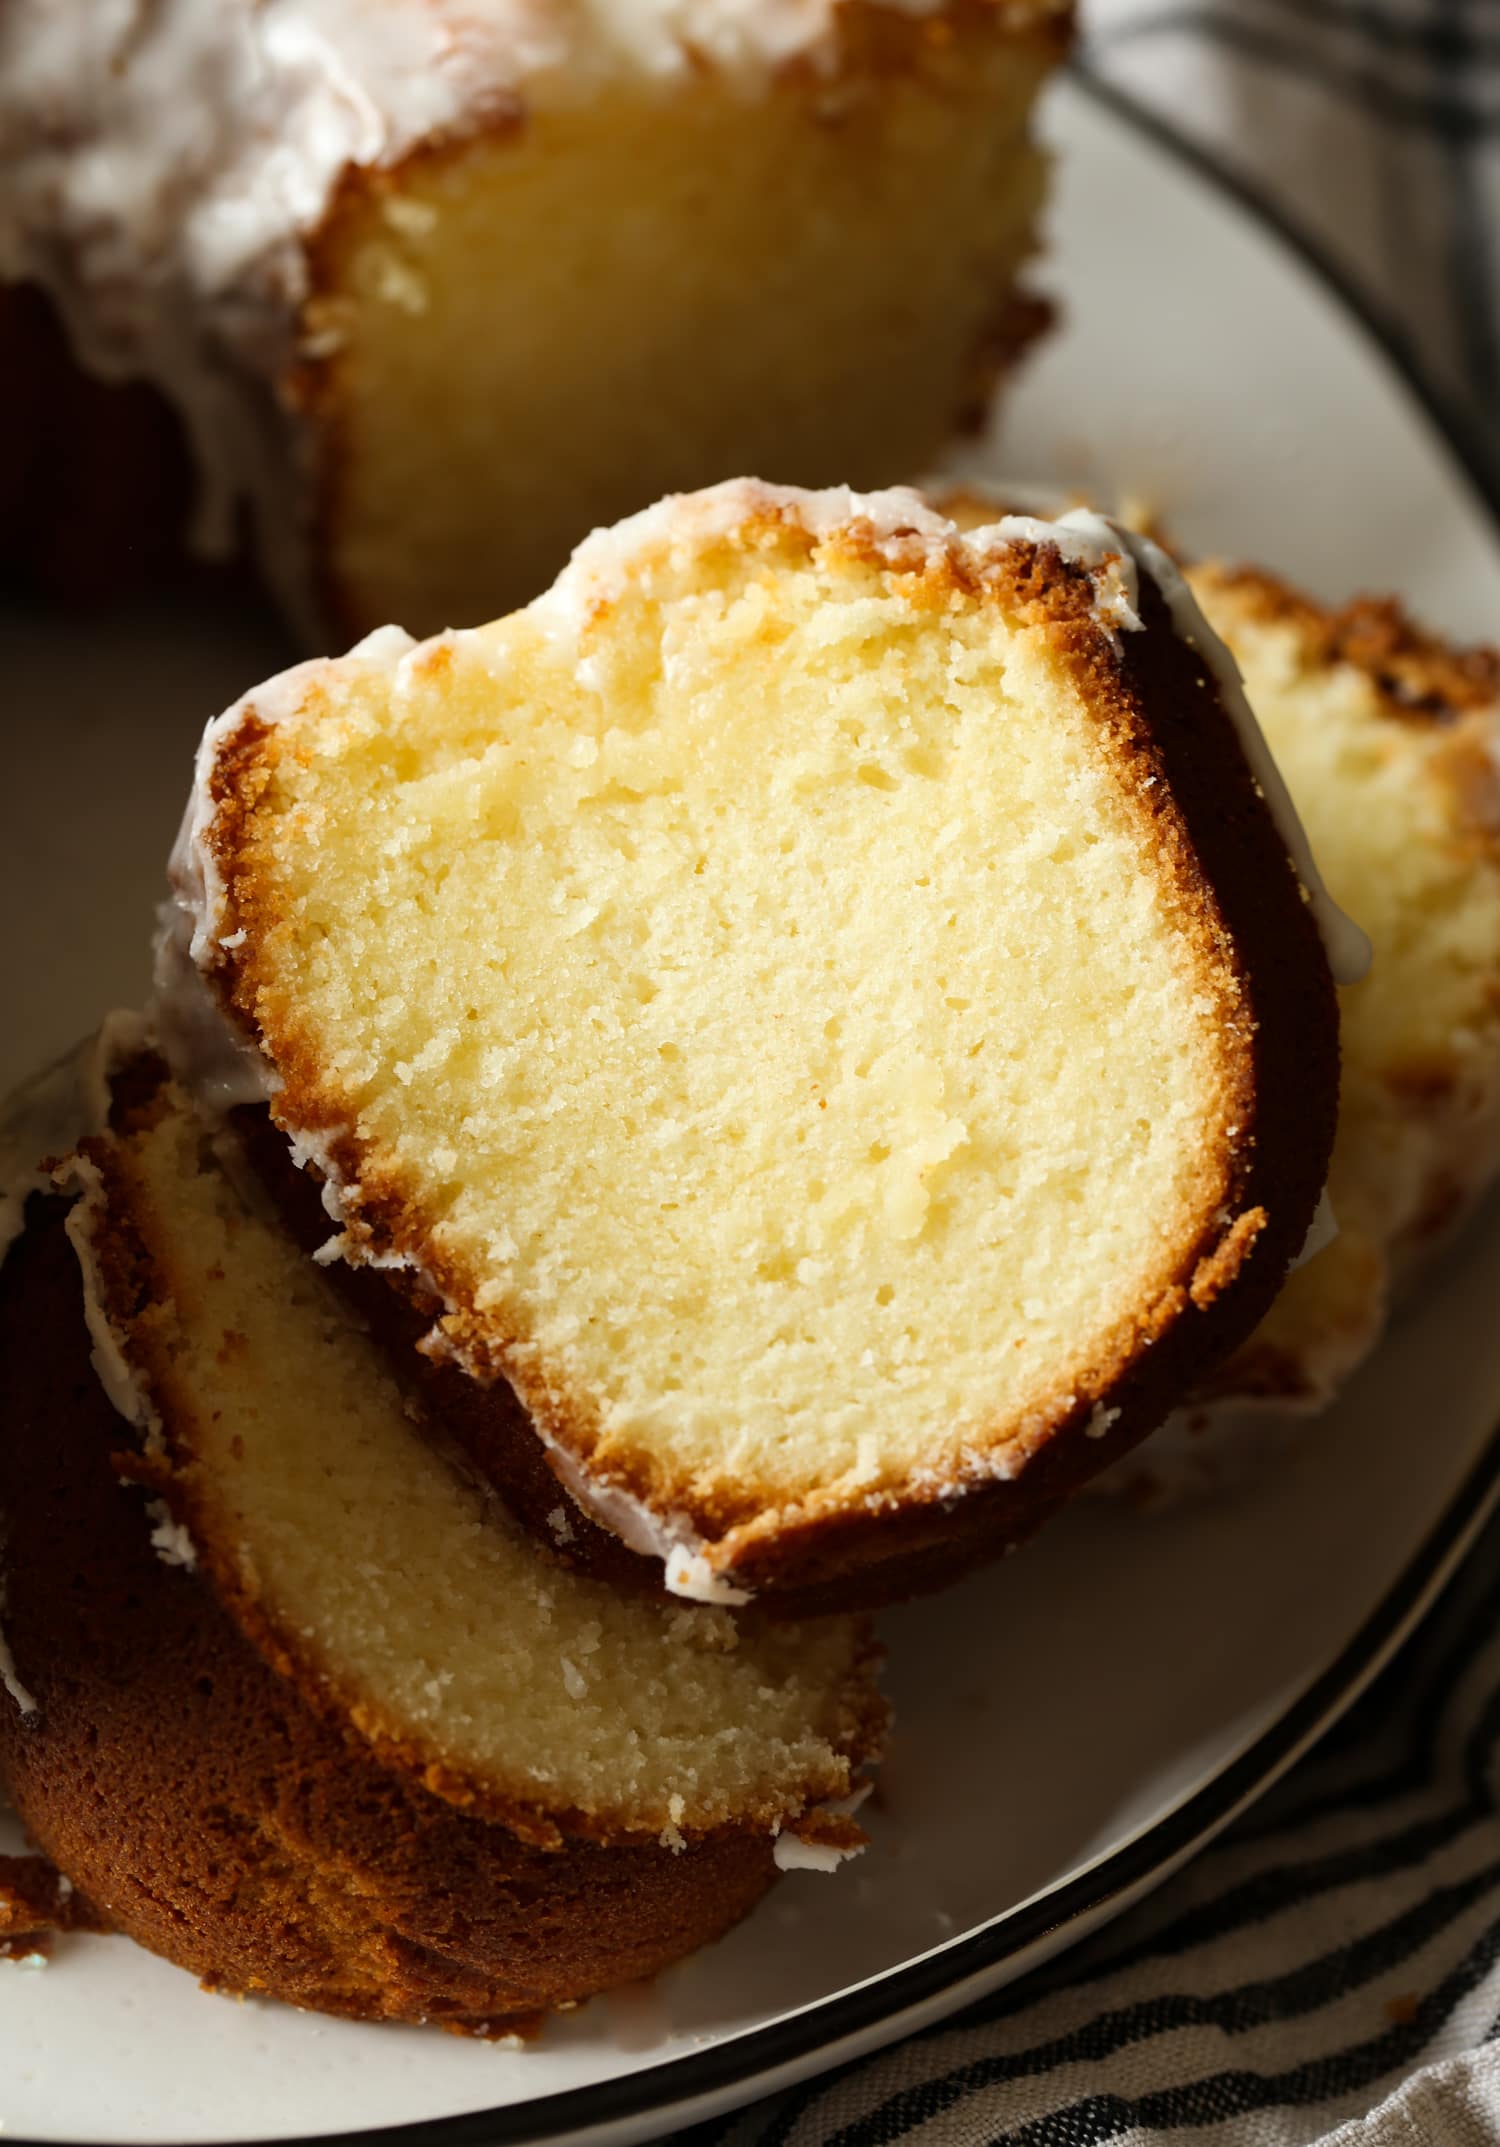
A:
(1229, 881)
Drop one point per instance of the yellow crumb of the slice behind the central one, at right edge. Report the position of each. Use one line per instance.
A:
(1402, 819)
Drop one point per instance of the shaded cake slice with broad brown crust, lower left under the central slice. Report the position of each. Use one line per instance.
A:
(293, 1704)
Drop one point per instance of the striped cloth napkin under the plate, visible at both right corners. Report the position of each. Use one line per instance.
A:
(1332, 1970)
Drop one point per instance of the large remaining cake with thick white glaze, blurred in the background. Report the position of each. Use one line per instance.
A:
(441, 284)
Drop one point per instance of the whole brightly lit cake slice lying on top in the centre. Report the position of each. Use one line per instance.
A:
(819, 1006)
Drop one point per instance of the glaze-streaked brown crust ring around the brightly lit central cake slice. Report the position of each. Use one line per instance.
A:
(1141, 652)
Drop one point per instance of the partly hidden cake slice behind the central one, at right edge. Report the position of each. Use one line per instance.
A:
(1387, 740)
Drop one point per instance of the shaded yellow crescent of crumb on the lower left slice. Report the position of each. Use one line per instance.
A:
(424, 1603)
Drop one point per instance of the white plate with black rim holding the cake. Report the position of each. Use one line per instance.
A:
(1072, 1725)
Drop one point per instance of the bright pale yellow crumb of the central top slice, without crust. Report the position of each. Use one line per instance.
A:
(776, 1006)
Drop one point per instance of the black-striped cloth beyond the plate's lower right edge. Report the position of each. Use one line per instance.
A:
(1327, 1972)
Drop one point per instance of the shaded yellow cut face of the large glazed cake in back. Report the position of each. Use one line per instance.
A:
(653, 287)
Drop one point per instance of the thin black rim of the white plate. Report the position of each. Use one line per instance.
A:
(874, 2013)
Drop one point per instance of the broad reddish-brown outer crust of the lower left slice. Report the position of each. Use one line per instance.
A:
(207, 1811)
